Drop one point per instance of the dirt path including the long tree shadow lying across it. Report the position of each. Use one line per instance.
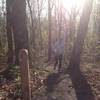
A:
(73, 87)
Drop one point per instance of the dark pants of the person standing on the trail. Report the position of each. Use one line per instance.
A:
(58, 61)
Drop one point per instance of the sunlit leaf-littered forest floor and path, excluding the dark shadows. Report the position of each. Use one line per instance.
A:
(64, 90)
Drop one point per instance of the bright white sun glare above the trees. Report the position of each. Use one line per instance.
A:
(69, 3)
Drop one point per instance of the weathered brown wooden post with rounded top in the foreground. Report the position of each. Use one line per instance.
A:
(25, 75)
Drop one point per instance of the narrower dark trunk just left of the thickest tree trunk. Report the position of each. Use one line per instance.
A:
(9, 31)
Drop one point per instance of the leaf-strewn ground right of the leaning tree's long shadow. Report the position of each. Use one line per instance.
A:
(93, 78)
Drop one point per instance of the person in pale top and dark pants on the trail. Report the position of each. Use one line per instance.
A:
(58, 50)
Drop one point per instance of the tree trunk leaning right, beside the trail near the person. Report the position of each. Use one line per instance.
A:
(79, 42)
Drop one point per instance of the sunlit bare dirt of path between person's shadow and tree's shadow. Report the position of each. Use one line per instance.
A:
(63, 91)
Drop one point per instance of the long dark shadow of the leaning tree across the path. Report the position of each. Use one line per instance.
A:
(80, 84)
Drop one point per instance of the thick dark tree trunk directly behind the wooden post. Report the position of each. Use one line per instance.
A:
(20, 27)
